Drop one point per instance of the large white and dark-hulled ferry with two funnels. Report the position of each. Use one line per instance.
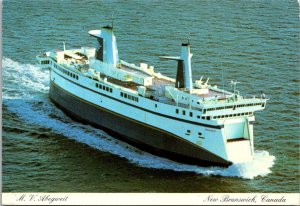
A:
(186, 121)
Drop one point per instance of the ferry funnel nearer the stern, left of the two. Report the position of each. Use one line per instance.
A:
(106, 50)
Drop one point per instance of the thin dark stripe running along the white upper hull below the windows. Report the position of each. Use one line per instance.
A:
(156, 113)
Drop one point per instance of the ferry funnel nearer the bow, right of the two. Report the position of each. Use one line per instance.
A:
(184, 69)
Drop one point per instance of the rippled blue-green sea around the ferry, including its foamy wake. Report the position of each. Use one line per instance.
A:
(254, 42)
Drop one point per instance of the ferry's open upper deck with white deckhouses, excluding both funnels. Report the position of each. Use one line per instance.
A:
(158, 87)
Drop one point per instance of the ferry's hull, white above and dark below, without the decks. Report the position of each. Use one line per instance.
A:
(151, 129)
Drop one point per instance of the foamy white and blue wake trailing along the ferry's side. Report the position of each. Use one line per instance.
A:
(25, 89)
